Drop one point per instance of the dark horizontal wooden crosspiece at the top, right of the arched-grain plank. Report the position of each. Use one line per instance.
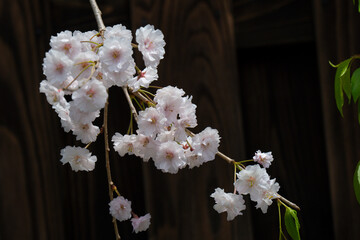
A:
(276, 22)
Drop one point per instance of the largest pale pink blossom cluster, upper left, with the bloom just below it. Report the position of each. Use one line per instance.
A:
(80, 67)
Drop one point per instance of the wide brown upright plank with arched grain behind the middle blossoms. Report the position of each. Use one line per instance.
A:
(200, 58)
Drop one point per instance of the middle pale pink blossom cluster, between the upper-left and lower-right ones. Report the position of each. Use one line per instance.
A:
(163, 134)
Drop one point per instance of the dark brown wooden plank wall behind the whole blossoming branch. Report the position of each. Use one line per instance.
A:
(258, 71)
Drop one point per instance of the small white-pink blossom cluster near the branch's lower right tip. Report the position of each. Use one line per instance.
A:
(252, 180)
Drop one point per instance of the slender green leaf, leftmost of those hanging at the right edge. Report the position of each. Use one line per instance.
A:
(340, 75)
